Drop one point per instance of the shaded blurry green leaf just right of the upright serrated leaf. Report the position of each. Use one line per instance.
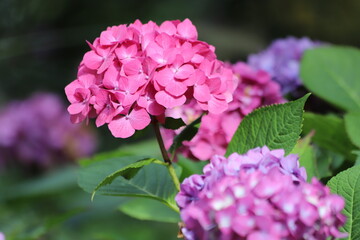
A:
(329, 133)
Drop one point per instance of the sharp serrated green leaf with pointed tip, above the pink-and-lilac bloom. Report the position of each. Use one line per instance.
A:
(276, 126)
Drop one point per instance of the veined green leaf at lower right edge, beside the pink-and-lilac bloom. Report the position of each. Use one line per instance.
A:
(347, 184)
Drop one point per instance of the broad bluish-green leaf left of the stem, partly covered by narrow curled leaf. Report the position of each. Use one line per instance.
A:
(151, 181)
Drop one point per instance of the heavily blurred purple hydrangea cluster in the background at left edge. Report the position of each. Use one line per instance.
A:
(37, 131)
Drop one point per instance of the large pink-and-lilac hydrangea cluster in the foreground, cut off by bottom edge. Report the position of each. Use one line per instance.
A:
(258, 195)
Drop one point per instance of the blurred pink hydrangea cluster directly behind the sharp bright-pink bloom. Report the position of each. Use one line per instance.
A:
(255, 89)
